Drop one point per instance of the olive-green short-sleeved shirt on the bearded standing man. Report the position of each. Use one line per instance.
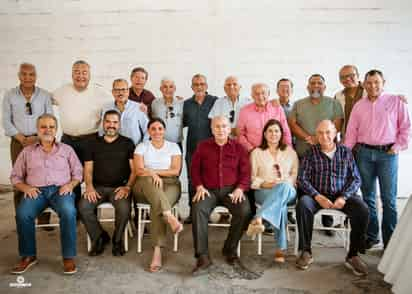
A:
(309, 115)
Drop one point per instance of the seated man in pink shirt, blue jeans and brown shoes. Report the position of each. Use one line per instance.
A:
(46, 172)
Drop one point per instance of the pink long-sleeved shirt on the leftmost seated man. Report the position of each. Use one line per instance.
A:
(38, 168)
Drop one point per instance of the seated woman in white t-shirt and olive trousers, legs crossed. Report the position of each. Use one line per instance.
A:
(158, 163)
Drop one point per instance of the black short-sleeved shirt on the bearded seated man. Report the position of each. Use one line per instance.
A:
(111, 166)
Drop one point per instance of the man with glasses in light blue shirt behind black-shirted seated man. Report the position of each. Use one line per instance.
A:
(133, 121)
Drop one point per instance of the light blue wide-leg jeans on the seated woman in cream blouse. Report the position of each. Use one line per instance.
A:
(274, 208)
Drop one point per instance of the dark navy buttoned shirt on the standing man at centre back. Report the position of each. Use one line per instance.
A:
(196, 119)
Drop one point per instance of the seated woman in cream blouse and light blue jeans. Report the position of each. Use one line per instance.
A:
(274, 172)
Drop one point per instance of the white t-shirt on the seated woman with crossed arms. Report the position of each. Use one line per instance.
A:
(157, 158)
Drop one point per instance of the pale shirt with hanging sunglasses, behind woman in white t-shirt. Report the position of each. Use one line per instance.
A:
(172, 116)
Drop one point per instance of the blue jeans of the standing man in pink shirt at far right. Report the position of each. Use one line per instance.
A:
(378, 165)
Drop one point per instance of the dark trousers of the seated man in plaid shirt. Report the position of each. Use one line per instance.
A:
(356, 210)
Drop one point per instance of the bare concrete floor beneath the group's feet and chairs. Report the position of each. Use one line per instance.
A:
(108, 274)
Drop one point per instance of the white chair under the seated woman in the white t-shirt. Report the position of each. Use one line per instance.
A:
(143, 210)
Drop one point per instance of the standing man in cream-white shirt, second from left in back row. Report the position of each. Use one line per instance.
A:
(80, 106)
